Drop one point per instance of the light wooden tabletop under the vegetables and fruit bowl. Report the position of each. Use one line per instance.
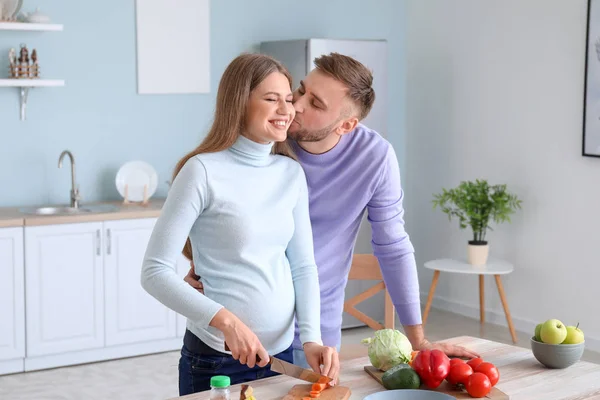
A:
(521, 376)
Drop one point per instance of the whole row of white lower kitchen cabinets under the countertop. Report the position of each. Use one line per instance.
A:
(70, 293)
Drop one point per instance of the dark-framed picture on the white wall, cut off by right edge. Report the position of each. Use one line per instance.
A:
(591, 101)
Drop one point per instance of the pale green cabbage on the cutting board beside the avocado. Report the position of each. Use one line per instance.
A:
(388, 348)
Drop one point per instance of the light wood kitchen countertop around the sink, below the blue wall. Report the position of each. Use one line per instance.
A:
(12, 217)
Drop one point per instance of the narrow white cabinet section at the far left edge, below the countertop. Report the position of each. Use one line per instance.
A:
(12, 300)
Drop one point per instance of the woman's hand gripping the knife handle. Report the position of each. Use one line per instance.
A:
(240, 340)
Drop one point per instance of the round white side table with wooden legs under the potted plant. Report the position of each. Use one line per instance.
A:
(494, 267)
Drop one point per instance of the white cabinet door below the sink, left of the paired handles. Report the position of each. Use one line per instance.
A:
(64, 288)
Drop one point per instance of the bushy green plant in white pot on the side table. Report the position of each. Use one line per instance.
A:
(475, 204)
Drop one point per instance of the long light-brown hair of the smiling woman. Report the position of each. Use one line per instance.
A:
(240, 78)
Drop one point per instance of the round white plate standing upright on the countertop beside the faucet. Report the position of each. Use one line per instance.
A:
(136, 174)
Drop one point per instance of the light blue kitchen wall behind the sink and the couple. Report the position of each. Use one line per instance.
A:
(101, 119)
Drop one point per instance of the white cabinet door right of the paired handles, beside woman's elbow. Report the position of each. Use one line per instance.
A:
(131, 314)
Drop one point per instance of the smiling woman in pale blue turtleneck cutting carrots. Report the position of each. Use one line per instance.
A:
(239, 204)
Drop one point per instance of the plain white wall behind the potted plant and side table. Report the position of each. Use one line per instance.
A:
(494, 91)
